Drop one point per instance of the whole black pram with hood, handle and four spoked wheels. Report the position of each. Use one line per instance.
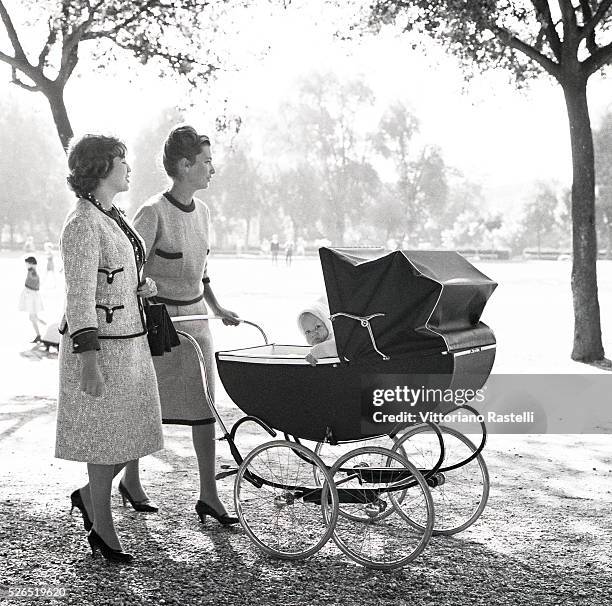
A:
(380, 491)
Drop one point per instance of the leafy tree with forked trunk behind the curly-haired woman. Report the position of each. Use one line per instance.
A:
(164, 30)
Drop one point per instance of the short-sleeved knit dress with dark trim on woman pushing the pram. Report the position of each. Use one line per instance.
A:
(177, 239)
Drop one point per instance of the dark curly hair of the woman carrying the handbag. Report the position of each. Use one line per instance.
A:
(90, 159)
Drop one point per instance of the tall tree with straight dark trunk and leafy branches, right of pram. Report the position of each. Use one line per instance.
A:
(569, 40)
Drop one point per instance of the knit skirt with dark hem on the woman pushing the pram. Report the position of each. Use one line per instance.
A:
(179, 379)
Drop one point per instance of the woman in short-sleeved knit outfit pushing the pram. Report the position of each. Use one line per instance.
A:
(175, 228)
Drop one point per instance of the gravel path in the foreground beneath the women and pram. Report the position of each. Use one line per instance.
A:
(543, 539)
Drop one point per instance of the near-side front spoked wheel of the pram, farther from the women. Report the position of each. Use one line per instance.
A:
(371, 481)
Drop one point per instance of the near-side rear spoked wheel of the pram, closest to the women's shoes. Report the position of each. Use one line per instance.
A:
(283, 516)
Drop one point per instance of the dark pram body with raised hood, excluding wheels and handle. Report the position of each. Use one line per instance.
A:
(432, 303)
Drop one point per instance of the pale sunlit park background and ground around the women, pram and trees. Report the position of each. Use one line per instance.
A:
(488, 170)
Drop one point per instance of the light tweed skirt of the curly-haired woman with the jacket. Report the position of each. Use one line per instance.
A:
(121, 425)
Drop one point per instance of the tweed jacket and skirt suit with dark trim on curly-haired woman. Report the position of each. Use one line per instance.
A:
(102, 308)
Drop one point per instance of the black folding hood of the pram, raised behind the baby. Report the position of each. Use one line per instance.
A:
(432, 301)
